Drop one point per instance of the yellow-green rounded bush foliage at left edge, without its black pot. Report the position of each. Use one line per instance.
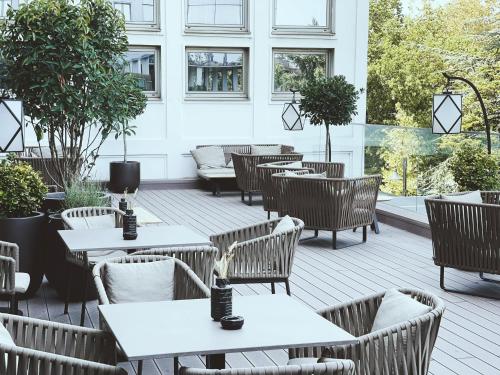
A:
(21, 189)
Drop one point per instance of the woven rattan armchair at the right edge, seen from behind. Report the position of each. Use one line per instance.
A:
(466, 236)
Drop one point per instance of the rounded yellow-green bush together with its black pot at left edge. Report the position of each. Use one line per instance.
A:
(21, 195)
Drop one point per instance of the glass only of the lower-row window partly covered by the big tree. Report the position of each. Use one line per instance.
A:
(142, 64)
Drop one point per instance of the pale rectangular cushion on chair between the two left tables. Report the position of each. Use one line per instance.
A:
(139, 282)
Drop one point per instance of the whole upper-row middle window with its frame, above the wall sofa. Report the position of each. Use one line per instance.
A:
(216, 15)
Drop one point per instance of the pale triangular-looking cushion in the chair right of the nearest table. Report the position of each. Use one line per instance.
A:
(397, 307)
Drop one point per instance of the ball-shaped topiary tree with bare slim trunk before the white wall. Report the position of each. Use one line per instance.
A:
(329, 101)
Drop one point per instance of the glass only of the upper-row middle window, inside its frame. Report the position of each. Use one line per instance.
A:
(215, 12)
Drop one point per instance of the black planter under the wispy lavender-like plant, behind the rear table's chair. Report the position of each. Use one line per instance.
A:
(57, 269)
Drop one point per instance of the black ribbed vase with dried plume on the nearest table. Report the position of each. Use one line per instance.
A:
(221, 296)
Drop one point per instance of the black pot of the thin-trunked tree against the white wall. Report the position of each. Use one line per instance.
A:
(124, 176)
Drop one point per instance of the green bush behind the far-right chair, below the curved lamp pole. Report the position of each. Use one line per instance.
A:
(473, 168)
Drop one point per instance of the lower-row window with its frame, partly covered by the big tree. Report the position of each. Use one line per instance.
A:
(143, 62)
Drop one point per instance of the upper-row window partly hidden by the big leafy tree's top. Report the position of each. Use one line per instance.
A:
(138, 13)
